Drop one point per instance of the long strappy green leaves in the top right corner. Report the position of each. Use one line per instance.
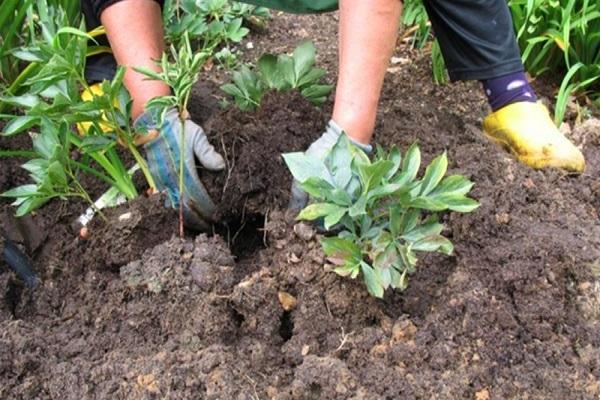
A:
(561, 37)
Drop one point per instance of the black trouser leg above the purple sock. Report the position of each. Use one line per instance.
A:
(476, 38)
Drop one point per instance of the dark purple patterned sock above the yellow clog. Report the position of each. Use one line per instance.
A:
(508, 89)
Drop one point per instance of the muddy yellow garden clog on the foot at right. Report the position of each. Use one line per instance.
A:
(526, 130)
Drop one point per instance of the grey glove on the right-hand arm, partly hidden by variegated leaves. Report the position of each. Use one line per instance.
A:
(320, 148)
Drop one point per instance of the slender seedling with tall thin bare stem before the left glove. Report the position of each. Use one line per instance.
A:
(180, 74)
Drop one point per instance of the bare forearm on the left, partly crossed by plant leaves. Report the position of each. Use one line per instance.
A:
(134, 30)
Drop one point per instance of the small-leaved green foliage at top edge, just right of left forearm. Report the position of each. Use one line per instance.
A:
(215, 25)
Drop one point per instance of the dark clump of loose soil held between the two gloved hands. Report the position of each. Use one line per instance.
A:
(256, 178)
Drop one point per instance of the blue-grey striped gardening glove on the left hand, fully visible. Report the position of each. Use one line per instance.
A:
(162, 146)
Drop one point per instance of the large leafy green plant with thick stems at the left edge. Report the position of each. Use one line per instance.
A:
(52, 101)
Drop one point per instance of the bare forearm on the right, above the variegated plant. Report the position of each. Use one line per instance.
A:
(367, 37)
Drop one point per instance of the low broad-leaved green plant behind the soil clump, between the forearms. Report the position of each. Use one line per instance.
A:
(281, 73)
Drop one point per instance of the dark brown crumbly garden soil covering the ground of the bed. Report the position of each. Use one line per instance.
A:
(136, 313)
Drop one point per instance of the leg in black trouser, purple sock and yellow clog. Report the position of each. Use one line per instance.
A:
(478, 42)
